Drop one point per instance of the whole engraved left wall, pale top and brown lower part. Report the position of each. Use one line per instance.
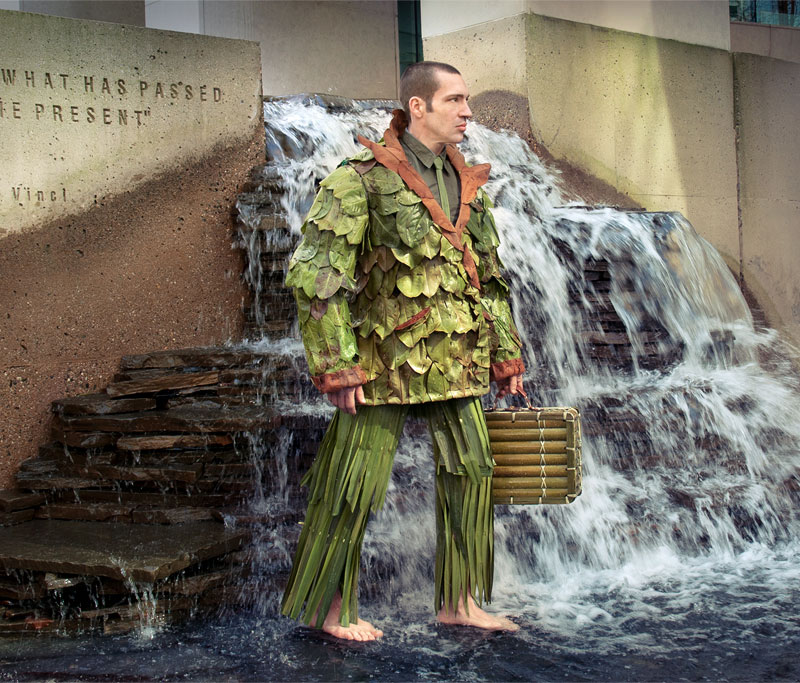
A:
(116, 193)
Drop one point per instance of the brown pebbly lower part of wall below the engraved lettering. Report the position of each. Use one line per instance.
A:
(151, 269)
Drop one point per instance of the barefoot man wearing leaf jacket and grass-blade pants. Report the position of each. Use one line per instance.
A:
(402, 311)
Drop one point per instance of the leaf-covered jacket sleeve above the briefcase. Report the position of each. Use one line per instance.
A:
(505, 345)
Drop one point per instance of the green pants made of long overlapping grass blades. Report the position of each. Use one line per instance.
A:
(348, 480)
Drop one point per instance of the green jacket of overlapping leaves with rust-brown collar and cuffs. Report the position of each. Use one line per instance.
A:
(391, 295)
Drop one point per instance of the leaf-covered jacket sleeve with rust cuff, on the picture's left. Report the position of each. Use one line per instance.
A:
(322, 271)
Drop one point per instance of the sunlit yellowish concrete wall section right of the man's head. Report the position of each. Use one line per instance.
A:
(652, 117)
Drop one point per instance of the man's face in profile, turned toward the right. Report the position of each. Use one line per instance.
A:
(446, 120)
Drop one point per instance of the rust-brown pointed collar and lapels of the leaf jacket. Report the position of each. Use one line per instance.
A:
(392, 156)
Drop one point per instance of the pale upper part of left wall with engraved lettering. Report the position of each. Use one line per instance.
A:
(90, 109)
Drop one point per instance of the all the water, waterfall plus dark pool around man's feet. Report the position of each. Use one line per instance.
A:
(680, 560)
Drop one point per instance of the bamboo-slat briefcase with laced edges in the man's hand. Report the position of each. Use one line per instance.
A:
(537, 452)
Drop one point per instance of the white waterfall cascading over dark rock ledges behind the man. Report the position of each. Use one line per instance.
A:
(691, 439)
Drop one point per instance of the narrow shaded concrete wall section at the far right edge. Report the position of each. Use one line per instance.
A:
(768, 99)
